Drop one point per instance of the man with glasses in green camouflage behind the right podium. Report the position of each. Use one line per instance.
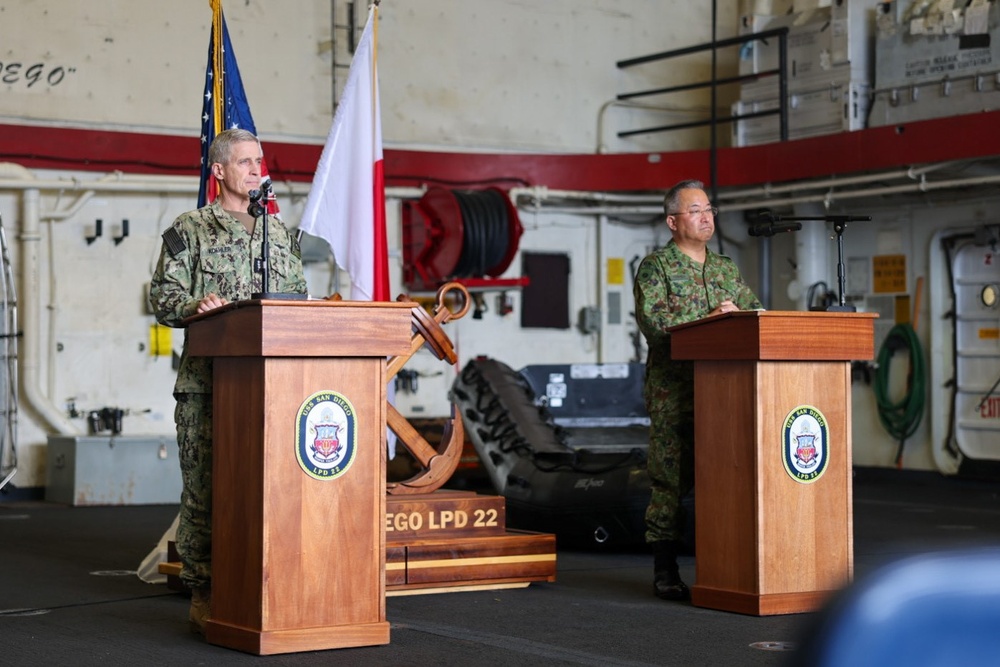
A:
(678, 283)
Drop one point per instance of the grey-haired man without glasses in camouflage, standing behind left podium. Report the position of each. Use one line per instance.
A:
(206, 261)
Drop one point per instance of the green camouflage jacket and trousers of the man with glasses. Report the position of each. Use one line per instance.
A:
(670, 289)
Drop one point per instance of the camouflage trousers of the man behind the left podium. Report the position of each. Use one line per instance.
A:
(193, 416)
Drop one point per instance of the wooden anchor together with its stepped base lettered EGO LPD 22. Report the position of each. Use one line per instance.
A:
(439, 541)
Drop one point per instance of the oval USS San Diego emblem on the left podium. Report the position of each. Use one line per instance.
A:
(325, 435)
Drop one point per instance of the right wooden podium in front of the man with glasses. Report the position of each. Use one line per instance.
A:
(773, 505)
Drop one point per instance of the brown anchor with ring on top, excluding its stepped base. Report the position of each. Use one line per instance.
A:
(437, 464)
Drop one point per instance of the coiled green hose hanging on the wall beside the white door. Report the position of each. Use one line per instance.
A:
(901, 418)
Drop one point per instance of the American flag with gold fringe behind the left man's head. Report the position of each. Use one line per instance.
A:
(225, 104)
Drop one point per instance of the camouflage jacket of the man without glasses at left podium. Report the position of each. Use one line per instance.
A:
(209, 251)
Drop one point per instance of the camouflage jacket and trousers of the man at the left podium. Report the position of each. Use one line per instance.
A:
(204, 252)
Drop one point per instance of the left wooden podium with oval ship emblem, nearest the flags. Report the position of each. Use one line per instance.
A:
(298, 543)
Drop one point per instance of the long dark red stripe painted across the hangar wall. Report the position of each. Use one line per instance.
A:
(953, 138)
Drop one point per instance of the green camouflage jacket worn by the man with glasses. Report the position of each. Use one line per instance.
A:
(671, 289)
